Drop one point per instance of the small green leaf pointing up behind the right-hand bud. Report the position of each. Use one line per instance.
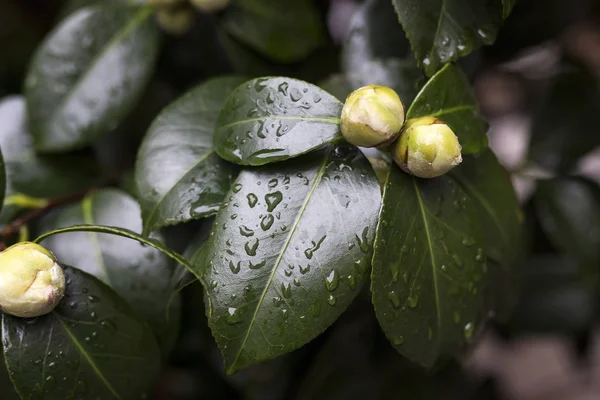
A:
(448, 97)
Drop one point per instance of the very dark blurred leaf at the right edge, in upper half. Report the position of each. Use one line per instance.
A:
(562, 126)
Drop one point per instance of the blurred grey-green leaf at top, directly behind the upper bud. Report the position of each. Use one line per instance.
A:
(377, 52)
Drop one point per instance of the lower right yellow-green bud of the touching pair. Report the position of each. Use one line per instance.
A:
(427, 148)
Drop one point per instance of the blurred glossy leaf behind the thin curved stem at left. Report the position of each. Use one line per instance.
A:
(139, 274)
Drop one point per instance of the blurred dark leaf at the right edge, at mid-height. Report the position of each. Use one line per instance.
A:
(569, 212)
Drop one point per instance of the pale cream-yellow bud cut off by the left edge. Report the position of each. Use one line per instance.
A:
(31, 281)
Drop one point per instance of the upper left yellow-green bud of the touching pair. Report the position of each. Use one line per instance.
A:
(372, 116)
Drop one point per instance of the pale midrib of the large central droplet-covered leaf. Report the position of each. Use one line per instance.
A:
(316, 182)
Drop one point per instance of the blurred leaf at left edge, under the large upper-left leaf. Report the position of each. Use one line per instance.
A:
(31, 174)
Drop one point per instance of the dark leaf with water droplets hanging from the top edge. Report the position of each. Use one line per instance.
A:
(441, 31)
